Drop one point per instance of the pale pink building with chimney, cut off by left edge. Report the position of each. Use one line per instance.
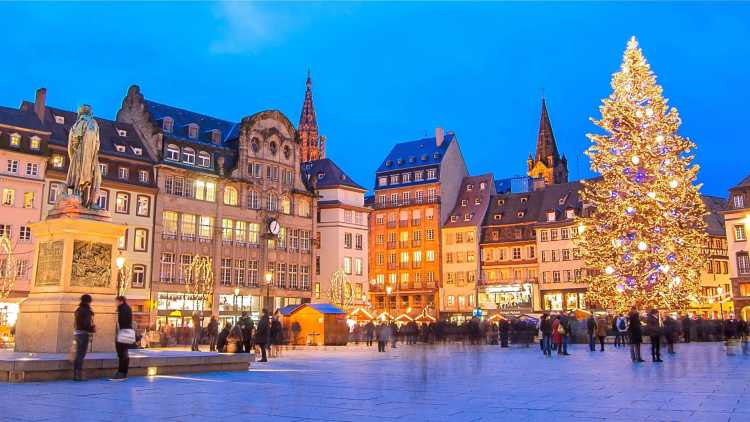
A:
(23, 158)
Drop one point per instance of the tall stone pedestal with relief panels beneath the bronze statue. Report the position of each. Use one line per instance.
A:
(75, 253)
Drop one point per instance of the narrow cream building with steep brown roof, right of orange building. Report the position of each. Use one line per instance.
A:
(460, 248)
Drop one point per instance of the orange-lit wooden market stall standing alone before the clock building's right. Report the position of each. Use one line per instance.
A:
(319, 324)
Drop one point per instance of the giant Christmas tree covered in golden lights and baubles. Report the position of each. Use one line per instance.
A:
(642, 242)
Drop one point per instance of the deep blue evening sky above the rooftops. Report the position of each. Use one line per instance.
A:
(389, 72)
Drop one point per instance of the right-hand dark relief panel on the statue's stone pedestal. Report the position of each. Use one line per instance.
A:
(92, 264)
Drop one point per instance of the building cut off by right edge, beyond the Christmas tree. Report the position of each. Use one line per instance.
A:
(737, 223)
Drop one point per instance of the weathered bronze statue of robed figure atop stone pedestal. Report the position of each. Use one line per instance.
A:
(84, 175)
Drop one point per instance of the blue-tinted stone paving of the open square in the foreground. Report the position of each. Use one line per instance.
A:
(418, 383)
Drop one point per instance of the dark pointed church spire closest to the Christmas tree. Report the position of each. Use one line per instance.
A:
(547, 162)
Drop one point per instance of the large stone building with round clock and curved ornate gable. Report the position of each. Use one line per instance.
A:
(233, 192)
